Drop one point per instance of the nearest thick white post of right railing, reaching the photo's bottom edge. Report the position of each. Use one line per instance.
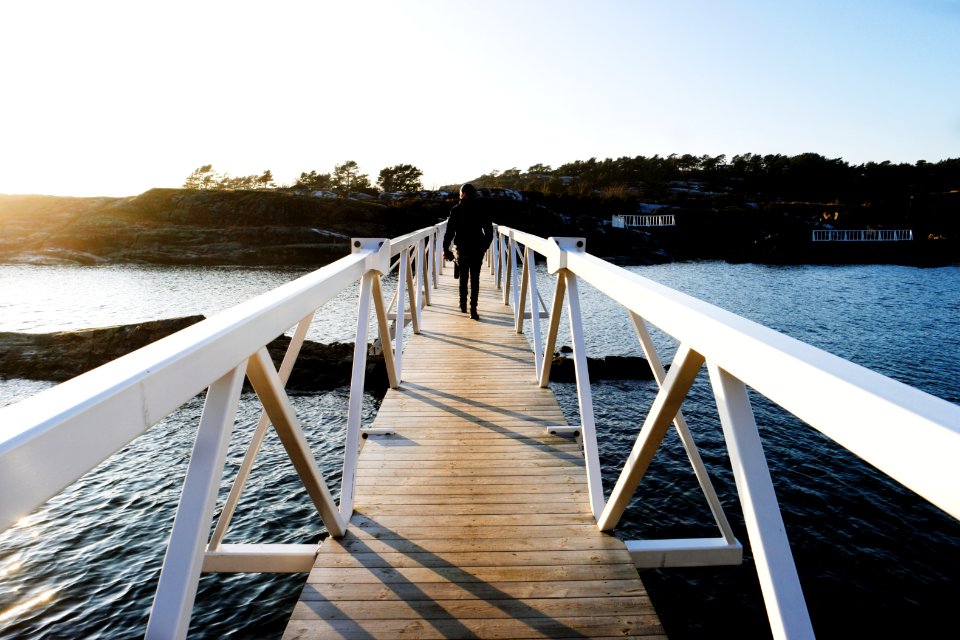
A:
(786, 608)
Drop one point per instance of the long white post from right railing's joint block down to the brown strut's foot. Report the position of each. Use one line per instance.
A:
(591, 453)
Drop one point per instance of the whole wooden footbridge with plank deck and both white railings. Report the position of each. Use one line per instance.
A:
(470, 509)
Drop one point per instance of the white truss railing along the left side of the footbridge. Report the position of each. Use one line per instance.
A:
(53, 438)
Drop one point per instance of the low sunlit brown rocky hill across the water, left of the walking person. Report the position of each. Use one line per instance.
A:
(178, 226)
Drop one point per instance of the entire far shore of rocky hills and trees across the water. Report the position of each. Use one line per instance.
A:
(751, 209)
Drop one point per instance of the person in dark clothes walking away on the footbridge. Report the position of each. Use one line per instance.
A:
(470, 229)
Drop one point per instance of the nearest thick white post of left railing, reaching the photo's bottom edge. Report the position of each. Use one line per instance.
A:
(173, 603)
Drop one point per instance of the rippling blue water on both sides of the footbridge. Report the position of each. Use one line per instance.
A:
(873, 558)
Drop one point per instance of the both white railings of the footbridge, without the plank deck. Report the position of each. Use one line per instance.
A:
(52, 439)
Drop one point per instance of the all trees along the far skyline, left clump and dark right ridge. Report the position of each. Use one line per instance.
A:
(806, 176)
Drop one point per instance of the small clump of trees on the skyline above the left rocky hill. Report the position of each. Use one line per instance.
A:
(343, 180)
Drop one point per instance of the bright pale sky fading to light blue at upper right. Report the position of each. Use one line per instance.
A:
(113, 98)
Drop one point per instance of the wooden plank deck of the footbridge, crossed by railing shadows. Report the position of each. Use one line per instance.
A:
(471, 521)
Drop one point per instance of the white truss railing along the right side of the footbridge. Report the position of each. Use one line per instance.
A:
(911, 436)
